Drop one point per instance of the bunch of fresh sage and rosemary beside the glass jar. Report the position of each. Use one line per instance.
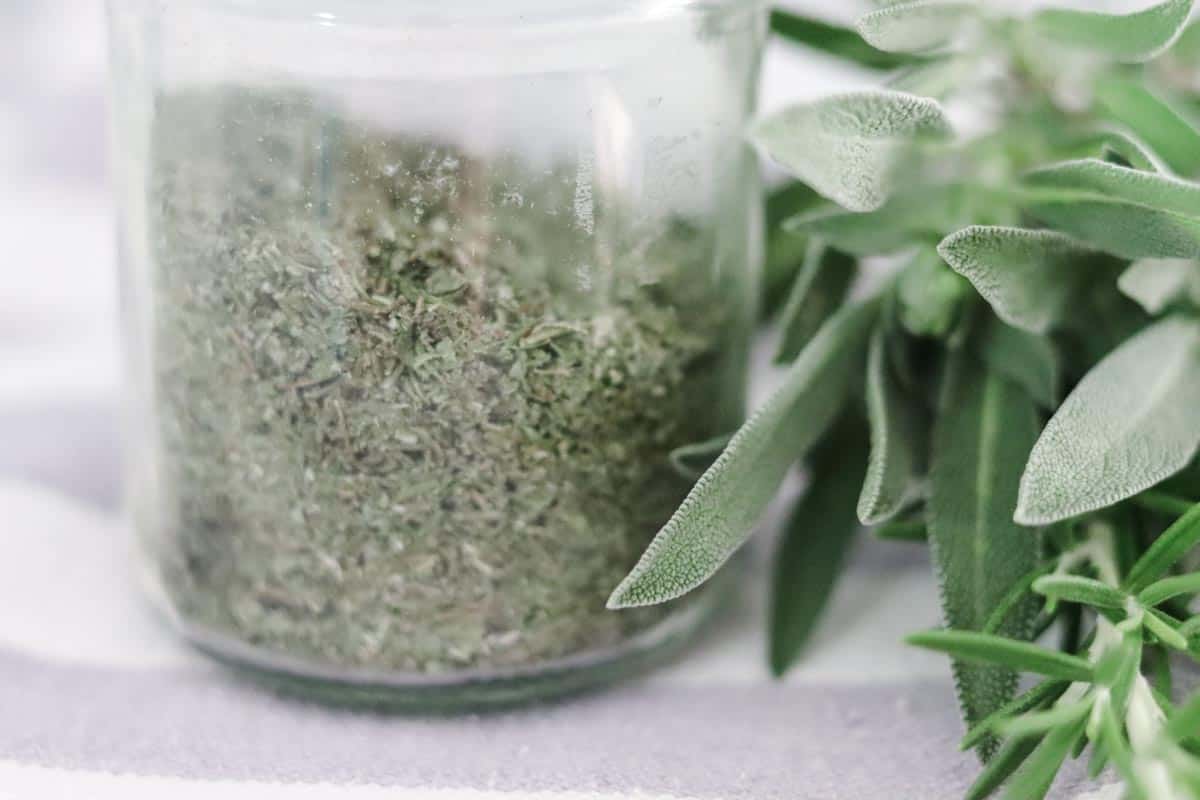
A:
(1055, 249)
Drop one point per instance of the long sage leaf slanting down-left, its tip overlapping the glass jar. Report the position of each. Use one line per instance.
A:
(722, 510)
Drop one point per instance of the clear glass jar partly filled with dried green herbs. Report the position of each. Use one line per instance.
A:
(419, 298)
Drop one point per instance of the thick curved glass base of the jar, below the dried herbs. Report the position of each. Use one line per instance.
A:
(458, 693)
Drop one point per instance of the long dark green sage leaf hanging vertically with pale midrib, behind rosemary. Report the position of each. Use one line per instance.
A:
(983, 435)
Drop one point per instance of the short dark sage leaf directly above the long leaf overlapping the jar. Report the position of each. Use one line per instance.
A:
(819, 292)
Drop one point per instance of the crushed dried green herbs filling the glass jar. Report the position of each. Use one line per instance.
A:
(416, 413)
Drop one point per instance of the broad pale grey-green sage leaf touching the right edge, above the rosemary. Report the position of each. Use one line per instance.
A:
(1131, 424)
